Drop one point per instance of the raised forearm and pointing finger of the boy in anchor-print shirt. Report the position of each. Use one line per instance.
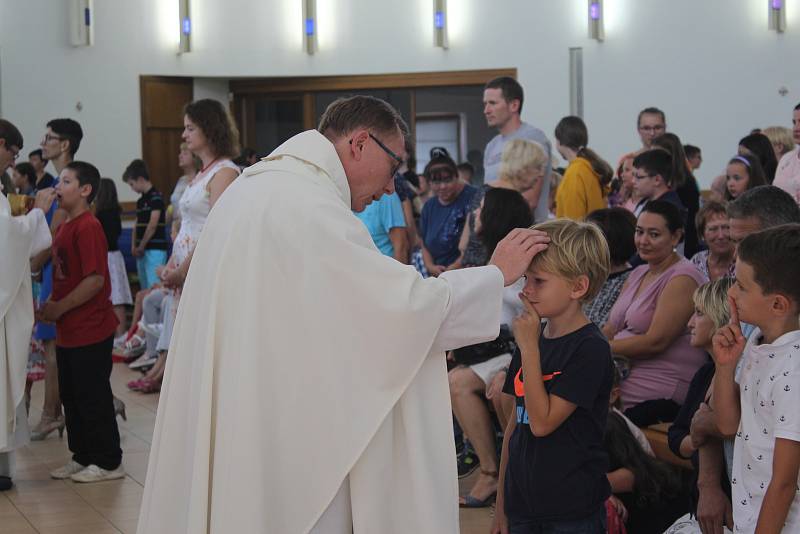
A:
(728, 345)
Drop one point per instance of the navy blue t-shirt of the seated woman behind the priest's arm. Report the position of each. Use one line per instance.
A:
(441, 226)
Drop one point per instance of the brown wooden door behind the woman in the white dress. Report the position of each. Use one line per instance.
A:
(162, 101)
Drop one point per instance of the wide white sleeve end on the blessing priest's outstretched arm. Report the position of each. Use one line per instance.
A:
(474, 309)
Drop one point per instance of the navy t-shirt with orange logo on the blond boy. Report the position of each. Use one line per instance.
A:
(561, 476)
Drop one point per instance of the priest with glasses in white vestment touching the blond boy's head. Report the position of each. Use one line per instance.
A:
(306, 386)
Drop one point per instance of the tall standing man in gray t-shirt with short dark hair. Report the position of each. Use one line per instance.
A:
(502, 104)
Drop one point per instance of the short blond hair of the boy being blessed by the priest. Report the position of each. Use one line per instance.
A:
(576, 248)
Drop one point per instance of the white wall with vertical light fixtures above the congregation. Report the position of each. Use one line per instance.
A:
(712, 65)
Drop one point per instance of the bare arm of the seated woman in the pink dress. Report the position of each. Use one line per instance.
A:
(673, 310)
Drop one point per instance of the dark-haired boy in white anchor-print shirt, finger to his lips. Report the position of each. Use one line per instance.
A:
(763, 408)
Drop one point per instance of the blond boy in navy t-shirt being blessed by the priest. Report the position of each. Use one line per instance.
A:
(553, 465)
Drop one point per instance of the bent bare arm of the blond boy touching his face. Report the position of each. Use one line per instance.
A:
(545, 412)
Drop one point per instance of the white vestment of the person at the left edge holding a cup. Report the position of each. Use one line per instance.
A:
(20, 238)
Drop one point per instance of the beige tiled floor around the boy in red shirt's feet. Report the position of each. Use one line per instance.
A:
(39, 504)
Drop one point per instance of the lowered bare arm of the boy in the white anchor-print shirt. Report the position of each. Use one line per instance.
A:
(782, 487)
